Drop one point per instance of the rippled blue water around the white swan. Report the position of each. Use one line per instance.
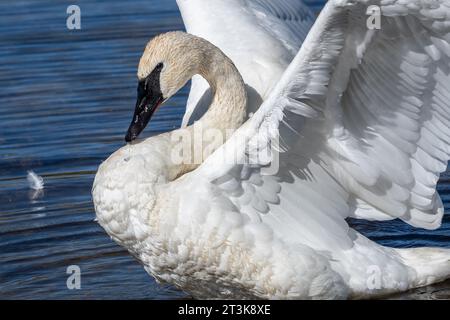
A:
(66, 100)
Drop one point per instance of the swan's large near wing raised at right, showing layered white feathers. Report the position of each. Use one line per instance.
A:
(364, 123)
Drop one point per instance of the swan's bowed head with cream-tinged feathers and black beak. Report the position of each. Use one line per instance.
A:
(167, 64)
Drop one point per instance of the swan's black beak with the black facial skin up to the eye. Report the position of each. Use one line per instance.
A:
(149, 98)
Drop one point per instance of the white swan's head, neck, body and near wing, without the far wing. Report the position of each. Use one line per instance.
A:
(364, 123)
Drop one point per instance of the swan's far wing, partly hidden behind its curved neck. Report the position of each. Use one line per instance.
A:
(260, 36)
